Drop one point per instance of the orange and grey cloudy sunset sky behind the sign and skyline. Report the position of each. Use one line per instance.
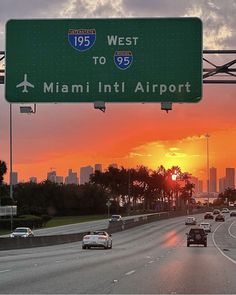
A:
(63, 136)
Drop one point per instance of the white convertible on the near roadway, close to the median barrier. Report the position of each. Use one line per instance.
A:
(97, 239)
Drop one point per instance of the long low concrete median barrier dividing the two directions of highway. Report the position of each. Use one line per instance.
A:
(40, 241)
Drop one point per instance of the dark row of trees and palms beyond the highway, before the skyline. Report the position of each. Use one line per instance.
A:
(135, 189)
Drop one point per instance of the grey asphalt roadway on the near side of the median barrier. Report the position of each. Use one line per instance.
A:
(149, 259)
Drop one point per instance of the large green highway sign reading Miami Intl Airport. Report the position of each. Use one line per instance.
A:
(110, 60)
